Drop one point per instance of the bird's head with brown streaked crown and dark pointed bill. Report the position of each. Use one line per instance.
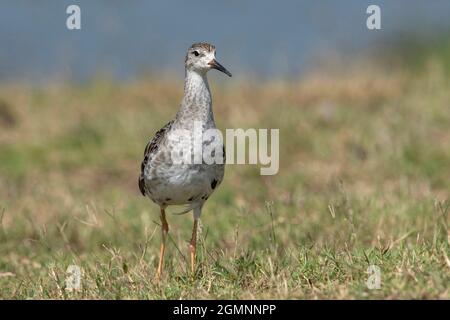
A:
(201, 57)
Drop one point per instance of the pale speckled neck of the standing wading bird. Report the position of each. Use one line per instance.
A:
(196, 103)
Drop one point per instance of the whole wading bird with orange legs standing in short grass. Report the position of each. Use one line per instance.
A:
(167, 182)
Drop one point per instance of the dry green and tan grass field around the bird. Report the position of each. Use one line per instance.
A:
(364, 180)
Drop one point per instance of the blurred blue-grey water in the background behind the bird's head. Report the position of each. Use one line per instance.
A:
(126, 39)
